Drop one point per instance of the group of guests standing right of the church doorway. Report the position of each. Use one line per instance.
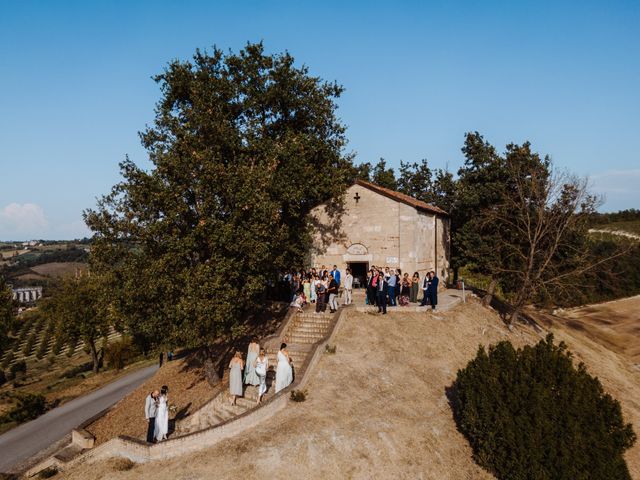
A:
(389, 287)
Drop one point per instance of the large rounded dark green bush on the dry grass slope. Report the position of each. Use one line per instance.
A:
(529, 413)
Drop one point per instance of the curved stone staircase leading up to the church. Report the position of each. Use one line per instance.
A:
(301, 333)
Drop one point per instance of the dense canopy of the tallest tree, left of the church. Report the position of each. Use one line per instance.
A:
(243, 147)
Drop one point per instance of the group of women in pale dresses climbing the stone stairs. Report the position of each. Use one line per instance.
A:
(255, 370)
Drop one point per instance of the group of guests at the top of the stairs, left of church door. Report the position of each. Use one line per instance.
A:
(321, 287)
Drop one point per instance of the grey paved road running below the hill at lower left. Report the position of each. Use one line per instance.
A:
(29, 438)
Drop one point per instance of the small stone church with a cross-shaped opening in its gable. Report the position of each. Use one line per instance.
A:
(385, 228)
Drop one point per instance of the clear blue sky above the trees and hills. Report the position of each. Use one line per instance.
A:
(75, 85)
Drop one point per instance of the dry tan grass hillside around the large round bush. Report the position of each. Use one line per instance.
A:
(378, 407)
